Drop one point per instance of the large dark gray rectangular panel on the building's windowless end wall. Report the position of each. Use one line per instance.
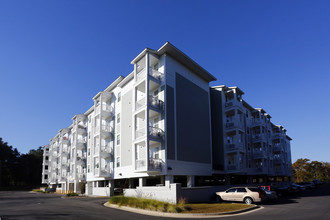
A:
(193, 122)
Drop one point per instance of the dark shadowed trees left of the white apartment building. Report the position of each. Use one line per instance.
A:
(19, 171)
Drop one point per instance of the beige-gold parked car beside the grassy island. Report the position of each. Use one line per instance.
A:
(248, 195)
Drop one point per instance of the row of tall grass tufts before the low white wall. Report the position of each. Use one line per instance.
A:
(149, 204)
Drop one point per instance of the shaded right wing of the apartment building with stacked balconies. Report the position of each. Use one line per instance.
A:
(247, 146)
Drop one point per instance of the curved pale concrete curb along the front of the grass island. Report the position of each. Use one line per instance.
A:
(183, 215)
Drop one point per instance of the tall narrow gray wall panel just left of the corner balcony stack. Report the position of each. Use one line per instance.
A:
(126, 129)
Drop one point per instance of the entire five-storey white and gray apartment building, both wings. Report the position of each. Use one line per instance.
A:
(161, 125)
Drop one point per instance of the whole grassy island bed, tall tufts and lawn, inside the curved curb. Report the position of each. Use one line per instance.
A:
(181, 207)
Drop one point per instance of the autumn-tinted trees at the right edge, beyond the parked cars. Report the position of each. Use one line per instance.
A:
(304, 170)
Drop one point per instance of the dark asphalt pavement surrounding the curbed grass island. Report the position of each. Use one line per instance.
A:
(310, 204)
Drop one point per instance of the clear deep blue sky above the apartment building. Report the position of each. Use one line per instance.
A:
(56, 55)
